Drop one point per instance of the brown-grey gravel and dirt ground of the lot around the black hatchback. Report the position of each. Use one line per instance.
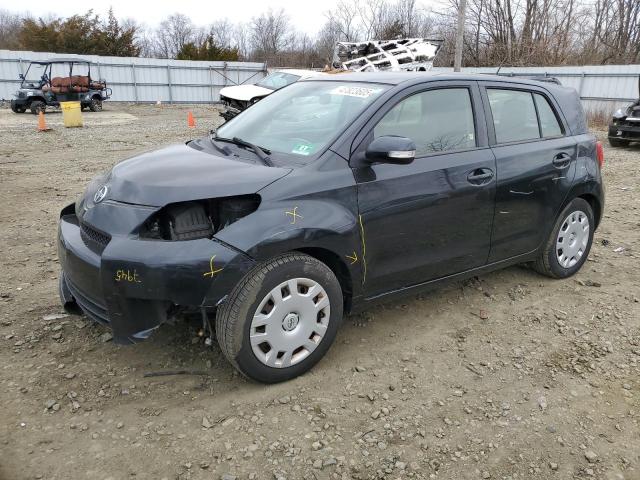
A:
(507, 376)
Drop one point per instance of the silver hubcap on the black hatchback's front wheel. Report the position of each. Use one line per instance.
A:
(290, 322)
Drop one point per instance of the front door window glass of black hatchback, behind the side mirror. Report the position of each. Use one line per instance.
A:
(436, 120)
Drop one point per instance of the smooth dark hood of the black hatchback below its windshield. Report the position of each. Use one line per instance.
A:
(181, 173)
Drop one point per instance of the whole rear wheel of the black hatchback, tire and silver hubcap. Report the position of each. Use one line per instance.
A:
(570, 241)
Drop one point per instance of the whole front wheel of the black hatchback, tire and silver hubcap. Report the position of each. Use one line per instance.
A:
(281, 319)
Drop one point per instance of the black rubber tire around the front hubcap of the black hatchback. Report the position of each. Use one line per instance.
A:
(233, 319)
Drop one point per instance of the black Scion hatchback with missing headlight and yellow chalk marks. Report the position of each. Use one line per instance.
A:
(327, 196)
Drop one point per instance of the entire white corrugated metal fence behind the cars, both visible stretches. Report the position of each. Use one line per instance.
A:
(179, 81)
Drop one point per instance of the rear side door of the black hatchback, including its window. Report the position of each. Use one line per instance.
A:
(535, 161)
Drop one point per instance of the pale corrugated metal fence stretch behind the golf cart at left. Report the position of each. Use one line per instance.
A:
(144, 79)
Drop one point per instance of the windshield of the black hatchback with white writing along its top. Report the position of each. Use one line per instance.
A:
(303, 118)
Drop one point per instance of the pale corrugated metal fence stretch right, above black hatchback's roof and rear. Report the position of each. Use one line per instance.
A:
(605, 87)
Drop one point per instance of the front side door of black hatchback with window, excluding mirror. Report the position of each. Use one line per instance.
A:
(433, 217)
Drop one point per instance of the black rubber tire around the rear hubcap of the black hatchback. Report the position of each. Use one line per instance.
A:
(548, 263)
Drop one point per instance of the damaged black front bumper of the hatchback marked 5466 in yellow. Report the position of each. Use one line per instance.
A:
(132, 285)
